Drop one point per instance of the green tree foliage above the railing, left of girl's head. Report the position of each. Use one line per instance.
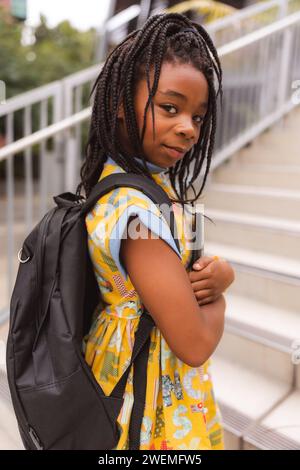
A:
(56, 52)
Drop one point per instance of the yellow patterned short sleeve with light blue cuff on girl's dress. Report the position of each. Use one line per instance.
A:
(120, 205)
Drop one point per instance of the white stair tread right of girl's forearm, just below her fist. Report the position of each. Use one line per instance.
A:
(261, 318)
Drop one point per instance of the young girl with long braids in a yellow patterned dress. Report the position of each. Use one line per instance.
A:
(170, 65)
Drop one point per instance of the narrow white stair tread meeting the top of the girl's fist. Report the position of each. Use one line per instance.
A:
(255, 259)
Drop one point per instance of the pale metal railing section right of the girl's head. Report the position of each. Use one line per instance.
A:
(260, 72)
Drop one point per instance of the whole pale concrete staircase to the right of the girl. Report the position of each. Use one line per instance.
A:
(254, 200)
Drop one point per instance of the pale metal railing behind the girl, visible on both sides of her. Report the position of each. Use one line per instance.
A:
(259, 71)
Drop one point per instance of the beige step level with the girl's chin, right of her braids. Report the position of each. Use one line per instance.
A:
(279, 176)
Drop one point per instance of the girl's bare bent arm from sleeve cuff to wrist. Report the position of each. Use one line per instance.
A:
(163, 285)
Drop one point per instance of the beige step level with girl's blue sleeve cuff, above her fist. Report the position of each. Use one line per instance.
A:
(271, 235)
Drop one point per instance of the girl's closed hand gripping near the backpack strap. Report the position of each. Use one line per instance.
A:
(210, 279)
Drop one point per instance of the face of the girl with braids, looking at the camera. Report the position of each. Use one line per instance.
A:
(180, 104)
